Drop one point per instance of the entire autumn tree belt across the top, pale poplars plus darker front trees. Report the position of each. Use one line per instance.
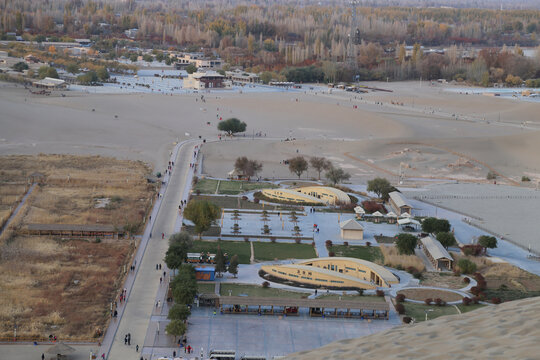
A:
(272, 37)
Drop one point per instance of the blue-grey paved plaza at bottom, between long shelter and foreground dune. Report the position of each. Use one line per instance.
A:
(270, 336)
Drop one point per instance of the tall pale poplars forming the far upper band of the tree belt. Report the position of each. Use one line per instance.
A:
(321, 27)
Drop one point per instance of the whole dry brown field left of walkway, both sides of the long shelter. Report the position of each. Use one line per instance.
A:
(65, 286)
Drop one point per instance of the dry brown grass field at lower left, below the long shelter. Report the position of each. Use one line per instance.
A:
(61, 288)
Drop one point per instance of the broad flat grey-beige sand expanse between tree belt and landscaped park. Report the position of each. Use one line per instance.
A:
(421, 135)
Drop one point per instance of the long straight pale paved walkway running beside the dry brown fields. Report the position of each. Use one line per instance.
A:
(142, 285)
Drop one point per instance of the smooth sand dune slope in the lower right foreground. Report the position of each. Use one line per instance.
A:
(506, 331)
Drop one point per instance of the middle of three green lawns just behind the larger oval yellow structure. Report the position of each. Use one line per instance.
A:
(269, 251)
